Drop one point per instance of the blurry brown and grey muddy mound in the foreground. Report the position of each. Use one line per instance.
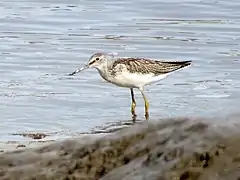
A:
(171, 149)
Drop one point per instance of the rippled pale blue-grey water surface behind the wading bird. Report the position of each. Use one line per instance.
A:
(42, 41)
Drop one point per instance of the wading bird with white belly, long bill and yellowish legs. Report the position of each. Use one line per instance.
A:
(132, 73)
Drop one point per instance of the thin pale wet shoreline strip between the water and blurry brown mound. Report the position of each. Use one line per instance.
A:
(33, 139)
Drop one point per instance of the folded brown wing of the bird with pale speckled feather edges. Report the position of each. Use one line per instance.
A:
(144, 66)
